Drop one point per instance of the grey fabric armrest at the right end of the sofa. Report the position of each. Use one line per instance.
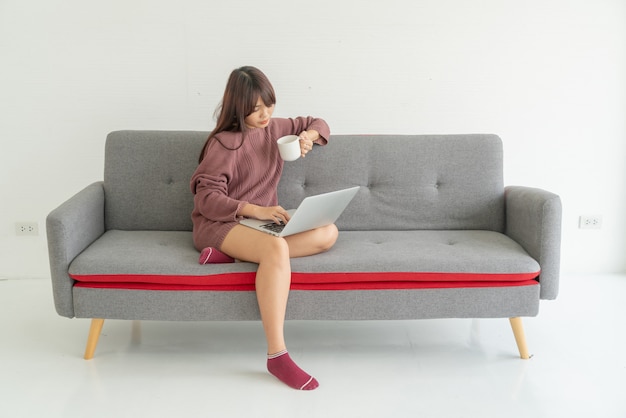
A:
(533, 220)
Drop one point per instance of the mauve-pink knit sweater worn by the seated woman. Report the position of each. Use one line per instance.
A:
(227, 179)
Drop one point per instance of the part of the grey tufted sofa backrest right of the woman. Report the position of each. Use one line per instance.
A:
(407, 181)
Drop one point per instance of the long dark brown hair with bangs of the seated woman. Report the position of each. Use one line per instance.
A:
(244, 87)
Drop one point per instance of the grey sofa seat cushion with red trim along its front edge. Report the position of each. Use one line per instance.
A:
(167, 260)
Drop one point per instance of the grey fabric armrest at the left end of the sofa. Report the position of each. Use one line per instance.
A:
(71, 228)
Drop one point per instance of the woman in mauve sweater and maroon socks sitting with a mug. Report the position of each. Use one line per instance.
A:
(237, 176)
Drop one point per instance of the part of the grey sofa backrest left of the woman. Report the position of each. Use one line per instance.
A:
(146, 179)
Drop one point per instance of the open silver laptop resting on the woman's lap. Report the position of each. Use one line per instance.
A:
(314, 212)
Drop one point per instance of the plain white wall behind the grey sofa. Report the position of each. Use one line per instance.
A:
(548, 77)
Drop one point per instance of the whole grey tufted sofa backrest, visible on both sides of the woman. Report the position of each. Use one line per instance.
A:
(408, 181)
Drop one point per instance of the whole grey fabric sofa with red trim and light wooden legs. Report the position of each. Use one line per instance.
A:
(432, 233)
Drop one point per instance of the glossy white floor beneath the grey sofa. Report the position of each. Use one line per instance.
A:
(432, 368)
